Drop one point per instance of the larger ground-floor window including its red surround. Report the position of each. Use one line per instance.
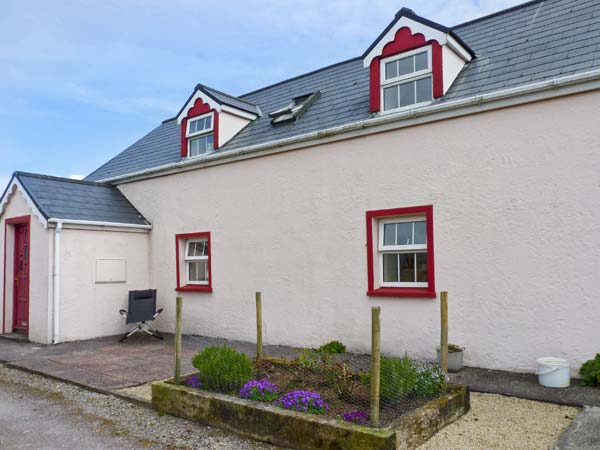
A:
(400, 252)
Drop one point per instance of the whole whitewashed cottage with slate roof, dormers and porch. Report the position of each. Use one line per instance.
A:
(461, 159)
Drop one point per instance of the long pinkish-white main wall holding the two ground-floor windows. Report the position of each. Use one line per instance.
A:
(517, 236)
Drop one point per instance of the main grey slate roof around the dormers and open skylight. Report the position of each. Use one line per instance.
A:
(532, 42)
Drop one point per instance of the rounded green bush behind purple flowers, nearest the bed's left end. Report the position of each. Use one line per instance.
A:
(223, 369)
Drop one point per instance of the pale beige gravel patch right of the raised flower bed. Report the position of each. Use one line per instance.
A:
(504, 423)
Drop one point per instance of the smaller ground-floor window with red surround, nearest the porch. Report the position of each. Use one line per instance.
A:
(193, 252)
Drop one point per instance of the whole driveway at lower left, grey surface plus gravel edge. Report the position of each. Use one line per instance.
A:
(41, 414)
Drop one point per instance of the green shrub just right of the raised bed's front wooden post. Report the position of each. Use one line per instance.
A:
(398, 377)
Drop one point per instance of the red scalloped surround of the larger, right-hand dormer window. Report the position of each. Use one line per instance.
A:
(405, 41)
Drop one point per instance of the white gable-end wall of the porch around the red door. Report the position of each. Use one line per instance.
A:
(39, 272)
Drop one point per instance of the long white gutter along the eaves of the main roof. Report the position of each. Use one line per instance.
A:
(438, 111)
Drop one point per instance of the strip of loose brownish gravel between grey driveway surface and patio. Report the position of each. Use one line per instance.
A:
(111, 416)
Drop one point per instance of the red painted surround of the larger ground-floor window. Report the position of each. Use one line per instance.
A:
(413, 292)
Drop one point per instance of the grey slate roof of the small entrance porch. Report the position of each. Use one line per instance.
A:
(63, 198)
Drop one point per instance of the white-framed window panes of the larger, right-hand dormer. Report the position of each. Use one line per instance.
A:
(406, 79)
